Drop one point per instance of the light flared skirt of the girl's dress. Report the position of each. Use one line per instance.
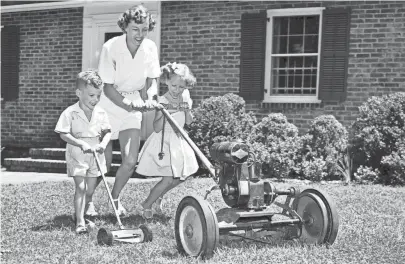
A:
(179, 159)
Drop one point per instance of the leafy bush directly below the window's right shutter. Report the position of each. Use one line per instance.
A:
(323, 147)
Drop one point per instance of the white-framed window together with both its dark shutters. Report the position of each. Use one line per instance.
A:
(295, 55)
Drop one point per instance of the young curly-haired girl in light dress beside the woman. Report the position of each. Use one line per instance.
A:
(178, 161)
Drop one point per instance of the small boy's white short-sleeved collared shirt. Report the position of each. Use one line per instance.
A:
(74, 121)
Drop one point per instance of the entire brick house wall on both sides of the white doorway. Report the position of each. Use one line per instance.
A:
(206, 36)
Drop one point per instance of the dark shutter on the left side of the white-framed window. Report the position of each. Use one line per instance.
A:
(253, 54)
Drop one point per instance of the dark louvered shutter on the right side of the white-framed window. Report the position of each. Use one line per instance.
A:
(334, 54)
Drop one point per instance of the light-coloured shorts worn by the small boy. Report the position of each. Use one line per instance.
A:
(84, 164)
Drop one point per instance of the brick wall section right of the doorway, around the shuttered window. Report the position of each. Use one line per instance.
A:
(206, 36)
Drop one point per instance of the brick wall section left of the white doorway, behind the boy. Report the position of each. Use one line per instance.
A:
(50, 58)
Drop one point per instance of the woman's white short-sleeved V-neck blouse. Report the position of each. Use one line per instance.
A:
(127, 74)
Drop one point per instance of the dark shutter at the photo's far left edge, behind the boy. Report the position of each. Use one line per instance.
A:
(10, 55)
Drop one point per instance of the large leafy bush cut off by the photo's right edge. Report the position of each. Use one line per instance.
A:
(378, 133)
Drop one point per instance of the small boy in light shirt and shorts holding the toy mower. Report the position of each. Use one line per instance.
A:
(85, 128)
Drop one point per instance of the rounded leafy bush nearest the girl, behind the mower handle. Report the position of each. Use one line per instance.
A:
(221, 118)
